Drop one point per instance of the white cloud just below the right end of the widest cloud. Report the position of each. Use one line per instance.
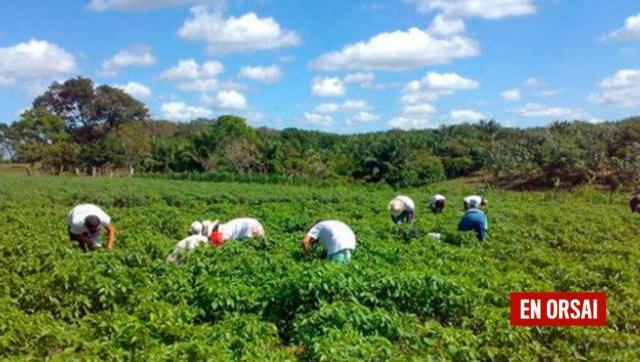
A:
(430, 87)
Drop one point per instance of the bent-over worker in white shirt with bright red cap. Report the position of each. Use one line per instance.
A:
(236, 229)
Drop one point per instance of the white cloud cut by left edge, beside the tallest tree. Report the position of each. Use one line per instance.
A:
(34, 62)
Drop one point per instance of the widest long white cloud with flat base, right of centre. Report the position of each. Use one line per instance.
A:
(397, 51)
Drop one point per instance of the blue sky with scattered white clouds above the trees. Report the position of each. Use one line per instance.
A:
(334, 65)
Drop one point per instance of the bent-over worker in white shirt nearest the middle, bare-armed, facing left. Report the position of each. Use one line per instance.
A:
(336, 236)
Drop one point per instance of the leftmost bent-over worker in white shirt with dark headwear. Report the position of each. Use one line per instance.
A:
(86, 222)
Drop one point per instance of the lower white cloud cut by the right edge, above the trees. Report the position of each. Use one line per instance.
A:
(621, 90)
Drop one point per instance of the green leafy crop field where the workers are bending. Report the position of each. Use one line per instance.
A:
(400, 299)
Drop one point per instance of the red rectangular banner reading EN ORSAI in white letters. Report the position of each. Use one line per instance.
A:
(558, 309)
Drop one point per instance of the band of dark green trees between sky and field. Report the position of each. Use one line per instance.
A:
(75, 126)
